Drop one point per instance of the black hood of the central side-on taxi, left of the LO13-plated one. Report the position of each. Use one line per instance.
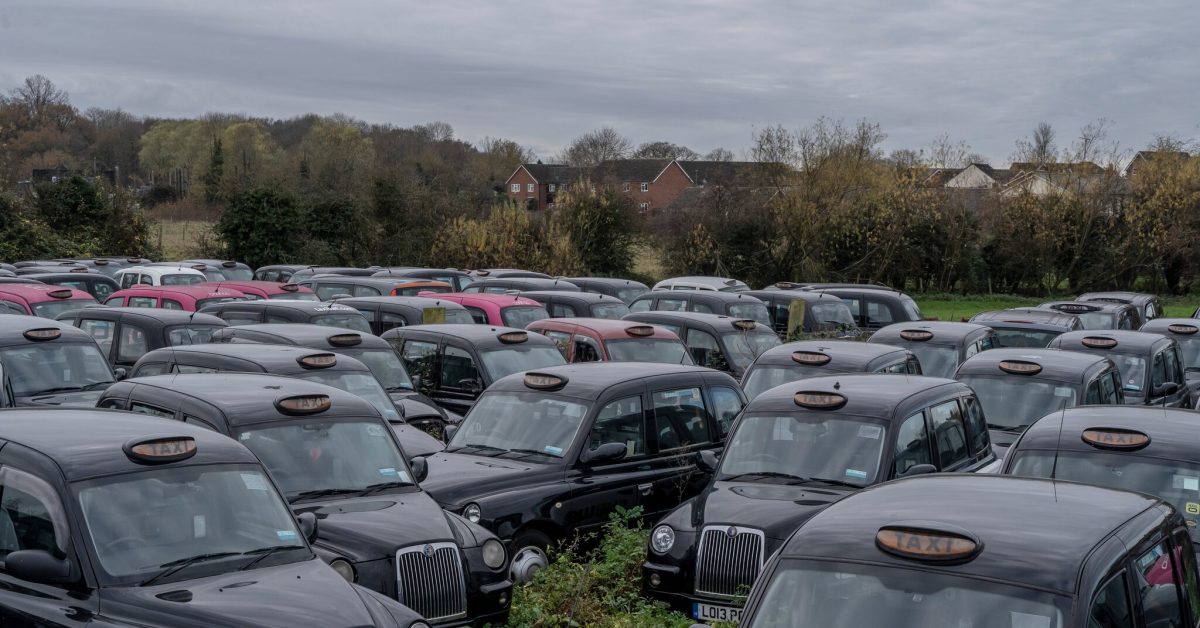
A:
(455, 479)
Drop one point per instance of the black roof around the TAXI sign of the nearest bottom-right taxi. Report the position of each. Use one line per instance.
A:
(1022, 523)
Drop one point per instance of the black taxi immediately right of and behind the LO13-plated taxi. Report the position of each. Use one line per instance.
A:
(1018, 387)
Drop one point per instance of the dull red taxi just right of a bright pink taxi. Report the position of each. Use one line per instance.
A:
(608, 340)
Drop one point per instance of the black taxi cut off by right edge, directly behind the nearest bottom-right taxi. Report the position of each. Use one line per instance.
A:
(1145, 451)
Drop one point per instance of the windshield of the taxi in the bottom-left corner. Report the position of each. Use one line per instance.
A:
(146, 523)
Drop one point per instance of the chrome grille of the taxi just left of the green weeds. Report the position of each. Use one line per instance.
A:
(430, 581)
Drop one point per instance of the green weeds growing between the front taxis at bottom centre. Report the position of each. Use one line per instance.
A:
(601, 588)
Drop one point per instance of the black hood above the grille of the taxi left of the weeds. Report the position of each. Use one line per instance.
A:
(365, 529)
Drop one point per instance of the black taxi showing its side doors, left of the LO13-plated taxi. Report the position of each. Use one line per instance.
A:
(551, 452)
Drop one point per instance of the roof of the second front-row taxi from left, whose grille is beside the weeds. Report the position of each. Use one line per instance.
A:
(250, 398)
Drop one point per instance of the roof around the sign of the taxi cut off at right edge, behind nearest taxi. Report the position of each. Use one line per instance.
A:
(1172, 430)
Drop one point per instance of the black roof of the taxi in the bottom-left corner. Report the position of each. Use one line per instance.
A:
(89, 442)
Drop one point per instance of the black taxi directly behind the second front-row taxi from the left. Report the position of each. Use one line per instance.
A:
(343, 373)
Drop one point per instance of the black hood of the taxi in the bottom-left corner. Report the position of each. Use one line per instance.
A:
(267, 597)
